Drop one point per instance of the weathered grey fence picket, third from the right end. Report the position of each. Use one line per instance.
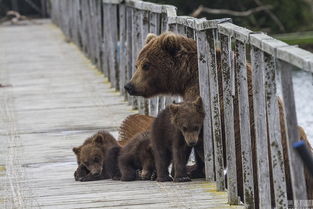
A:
(259, 106)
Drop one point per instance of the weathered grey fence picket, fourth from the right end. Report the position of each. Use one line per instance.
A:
(244, 118)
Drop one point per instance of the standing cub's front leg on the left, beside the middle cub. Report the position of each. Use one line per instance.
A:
(162, 160)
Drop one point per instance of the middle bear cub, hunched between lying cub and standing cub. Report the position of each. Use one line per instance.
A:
(136, 159)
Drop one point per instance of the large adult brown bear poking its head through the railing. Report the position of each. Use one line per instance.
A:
(167, 64)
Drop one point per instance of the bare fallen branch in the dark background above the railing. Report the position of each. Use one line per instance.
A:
(201, 9)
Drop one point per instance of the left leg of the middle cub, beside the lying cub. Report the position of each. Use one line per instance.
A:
(128, 173)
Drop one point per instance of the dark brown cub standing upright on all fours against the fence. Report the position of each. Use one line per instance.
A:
(174, 132)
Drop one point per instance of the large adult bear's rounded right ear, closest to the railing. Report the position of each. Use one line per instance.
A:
(170, 43)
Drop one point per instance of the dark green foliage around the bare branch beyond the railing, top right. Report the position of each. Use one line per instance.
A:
(294, 15)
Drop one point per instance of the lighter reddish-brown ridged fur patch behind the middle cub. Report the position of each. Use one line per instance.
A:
(133, 125)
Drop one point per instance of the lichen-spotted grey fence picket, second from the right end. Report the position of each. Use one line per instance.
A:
(278, 169)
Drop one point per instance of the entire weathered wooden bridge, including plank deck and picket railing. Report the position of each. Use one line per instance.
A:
(52, 98)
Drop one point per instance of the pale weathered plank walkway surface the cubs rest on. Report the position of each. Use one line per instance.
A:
(53, 100)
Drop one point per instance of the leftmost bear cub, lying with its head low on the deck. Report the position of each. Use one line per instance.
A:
(92, 155)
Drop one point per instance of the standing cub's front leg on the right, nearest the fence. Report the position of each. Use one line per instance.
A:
(179, 163)
